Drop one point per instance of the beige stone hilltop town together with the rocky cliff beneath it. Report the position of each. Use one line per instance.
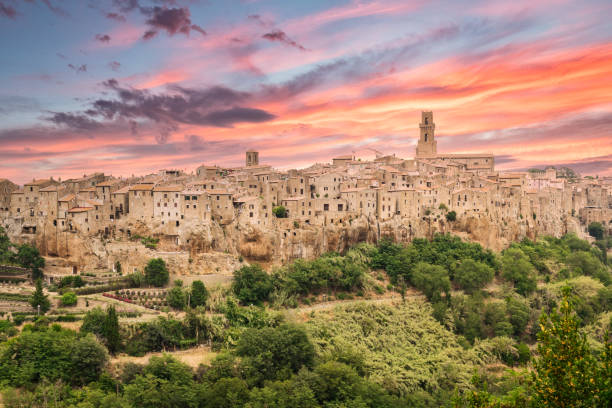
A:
(212, 219)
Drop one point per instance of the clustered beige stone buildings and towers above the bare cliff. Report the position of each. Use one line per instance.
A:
(172, 205)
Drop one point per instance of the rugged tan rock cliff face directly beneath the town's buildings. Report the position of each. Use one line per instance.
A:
(211, 248)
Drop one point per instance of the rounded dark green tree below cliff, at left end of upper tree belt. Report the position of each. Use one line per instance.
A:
(251, 284)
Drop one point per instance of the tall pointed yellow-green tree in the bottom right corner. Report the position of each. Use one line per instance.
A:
(566, 374)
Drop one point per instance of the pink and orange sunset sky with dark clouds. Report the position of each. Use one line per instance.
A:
(128, 87)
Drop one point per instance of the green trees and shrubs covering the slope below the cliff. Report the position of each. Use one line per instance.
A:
(433, 323)
